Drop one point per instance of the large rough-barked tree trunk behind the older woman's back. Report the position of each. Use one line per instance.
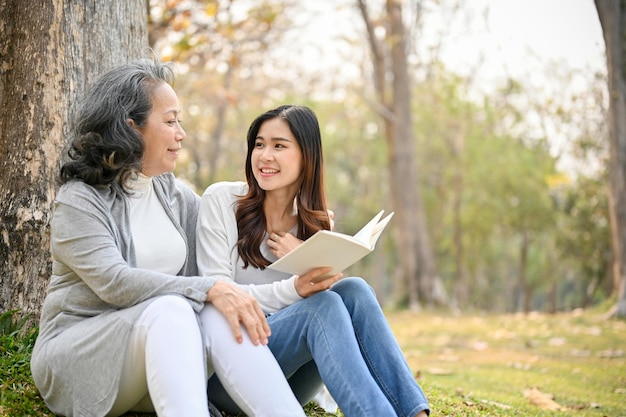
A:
(49, 52)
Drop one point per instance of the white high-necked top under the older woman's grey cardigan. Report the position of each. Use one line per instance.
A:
(158, 245)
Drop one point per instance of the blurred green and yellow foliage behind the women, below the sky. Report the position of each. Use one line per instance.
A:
(513, 182)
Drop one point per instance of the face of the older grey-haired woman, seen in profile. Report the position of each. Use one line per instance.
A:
(162, 133)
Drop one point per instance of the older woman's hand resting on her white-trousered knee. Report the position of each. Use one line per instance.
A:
(239, 308)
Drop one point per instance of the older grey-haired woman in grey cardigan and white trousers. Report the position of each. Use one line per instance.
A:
(127, 323)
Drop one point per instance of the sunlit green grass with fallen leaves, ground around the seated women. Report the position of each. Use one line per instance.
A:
(469, 365)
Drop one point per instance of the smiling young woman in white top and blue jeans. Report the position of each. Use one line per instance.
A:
(329, 331)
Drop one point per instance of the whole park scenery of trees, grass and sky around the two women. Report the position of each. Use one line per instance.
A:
(487, 131)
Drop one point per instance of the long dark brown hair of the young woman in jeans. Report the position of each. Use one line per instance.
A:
(311, 198)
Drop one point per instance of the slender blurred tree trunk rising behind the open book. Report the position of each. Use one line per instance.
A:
(392, 81)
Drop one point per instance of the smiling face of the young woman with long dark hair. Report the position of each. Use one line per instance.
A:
(276, 159)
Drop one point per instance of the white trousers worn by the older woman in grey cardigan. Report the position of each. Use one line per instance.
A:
(166, 368)
